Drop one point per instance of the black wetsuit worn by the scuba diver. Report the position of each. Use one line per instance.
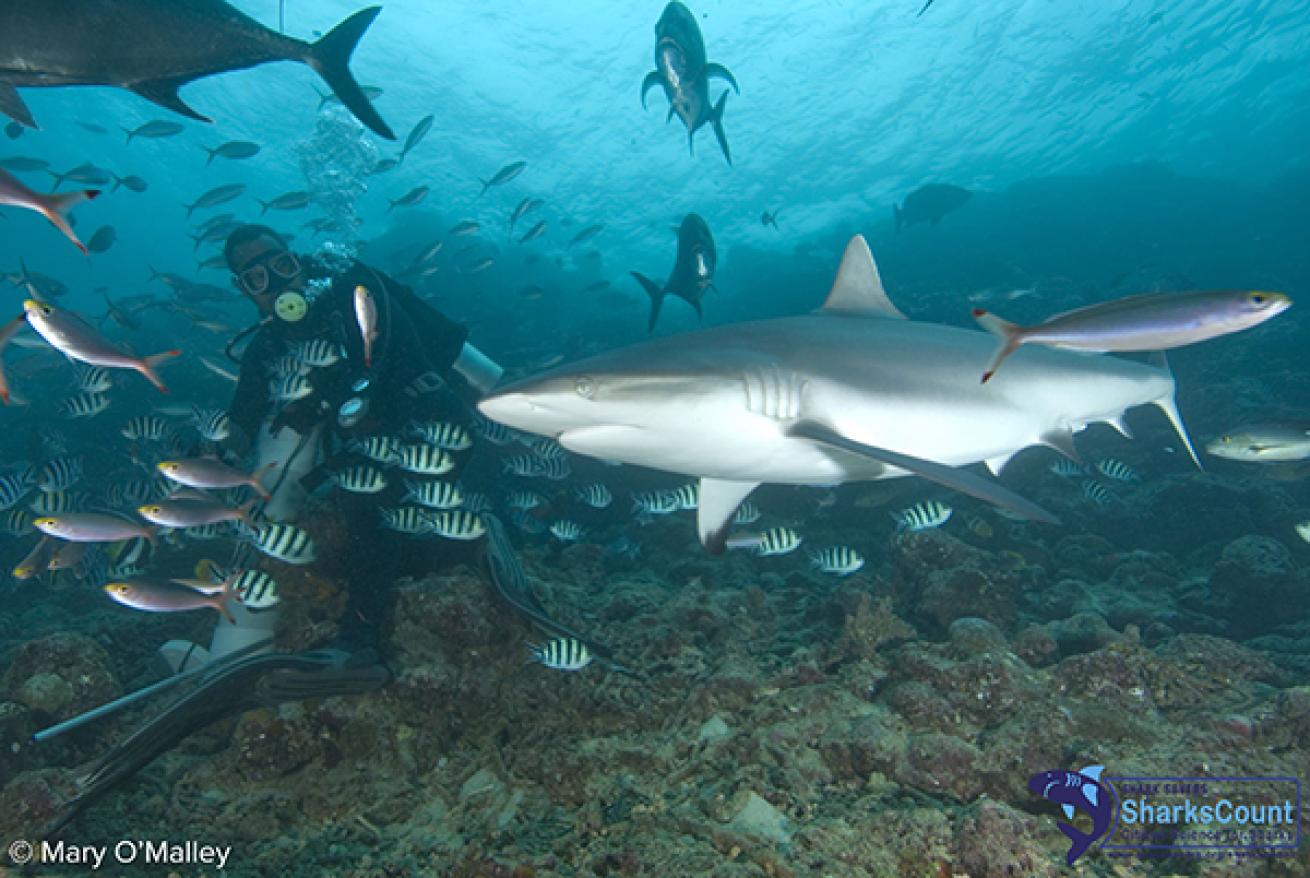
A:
(413, 341)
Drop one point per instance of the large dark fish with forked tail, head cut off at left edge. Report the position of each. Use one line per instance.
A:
(154, 48)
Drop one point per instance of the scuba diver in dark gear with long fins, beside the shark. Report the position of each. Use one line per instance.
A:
(417, 366)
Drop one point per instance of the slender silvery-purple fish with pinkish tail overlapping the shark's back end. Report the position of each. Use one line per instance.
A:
(1153, 322)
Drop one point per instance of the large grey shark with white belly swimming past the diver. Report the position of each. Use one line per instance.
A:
(853, 392)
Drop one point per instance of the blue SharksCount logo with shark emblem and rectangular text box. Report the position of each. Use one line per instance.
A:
(1199, 818)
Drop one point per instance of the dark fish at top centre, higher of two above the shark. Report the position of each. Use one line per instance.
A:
(683, 70)
